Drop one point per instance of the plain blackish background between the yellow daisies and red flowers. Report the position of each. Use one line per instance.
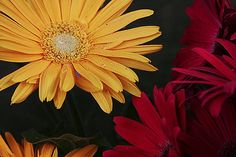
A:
(80, 114)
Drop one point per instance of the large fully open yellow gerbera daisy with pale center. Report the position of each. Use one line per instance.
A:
(74, 42)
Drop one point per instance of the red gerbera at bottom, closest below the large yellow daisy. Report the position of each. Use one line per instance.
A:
(158, 130)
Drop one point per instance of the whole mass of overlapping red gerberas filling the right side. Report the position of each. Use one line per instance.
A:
(207, 64)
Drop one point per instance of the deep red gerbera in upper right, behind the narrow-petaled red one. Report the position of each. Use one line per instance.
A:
(206, 20)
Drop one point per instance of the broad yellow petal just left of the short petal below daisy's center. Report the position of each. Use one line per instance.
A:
(49, 81)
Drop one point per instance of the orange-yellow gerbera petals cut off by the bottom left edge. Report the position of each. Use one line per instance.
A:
(26, 149)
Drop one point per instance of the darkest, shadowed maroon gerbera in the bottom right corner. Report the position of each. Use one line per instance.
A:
(209, 136)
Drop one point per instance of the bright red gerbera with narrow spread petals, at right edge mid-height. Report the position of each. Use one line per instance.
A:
(221, 76)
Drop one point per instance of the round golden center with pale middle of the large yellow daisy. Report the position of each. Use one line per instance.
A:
(65, 42)
